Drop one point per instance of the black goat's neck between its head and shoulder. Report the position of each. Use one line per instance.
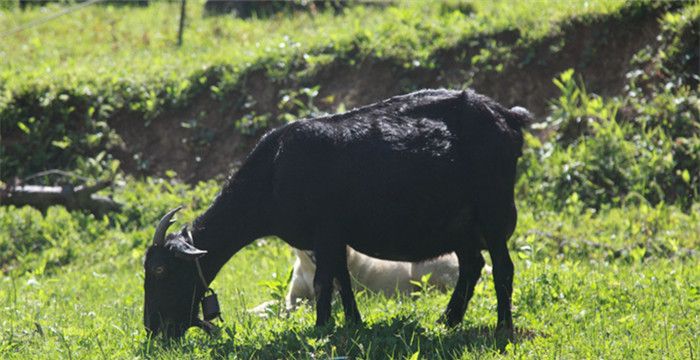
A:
(225, 228)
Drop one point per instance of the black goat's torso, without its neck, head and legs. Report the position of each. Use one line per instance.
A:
(400, 180)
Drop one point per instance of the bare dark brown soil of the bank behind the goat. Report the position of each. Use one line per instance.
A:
(599, 51)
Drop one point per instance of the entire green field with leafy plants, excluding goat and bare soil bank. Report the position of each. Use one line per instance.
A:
(605, 251)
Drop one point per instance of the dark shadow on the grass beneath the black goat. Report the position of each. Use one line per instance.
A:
(396, 338)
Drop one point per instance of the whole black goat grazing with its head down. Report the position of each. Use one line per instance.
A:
(409, 178)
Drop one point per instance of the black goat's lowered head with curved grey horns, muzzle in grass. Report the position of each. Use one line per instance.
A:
(172, 286)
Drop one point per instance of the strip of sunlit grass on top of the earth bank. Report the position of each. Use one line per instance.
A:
(101, 45)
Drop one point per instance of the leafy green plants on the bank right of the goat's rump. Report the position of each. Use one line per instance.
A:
(645, 145)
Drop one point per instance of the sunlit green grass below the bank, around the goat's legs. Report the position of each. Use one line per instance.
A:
(635, 294)
